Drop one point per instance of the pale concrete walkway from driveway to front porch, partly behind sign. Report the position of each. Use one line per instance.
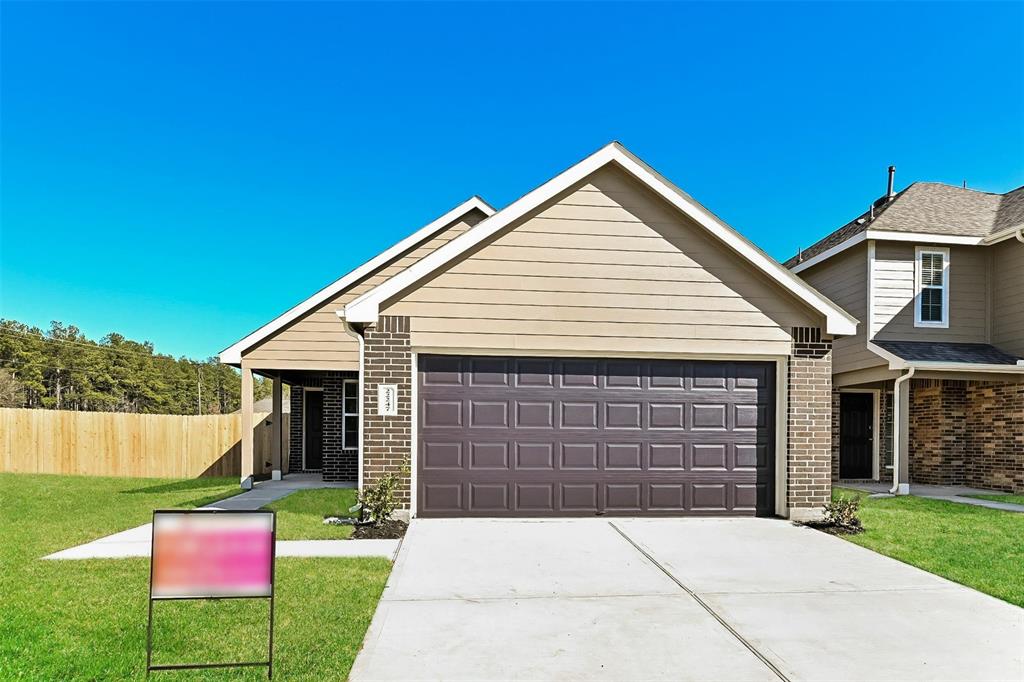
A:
(136, 542)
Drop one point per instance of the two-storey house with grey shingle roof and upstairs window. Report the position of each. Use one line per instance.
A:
(936, 273)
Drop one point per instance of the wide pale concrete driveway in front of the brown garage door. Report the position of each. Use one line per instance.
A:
(674, 600)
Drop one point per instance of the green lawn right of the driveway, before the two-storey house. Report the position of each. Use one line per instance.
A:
(974, 546)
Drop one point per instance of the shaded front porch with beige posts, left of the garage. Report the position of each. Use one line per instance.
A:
(323, 437)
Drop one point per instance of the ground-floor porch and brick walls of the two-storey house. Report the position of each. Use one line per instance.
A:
(952, 430)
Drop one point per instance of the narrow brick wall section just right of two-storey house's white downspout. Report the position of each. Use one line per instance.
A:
(938, 422)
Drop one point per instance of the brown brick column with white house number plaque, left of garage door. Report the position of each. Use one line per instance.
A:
(388, 441)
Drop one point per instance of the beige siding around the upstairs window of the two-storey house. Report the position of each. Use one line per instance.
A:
(968, 295)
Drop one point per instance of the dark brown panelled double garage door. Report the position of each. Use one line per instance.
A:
(543, 437)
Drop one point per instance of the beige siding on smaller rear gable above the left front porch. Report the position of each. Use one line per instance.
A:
(319, 339)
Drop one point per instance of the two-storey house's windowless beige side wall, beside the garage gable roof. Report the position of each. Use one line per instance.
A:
(844, 280)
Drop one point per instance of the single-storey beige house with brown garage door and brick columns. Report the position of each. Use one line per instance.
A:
(603, 346)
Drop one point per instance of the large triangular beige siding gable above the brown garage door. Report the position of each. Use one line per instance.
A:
(607, 269)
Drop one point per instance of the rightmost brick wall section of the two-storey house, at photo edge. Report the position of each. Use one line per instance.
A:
(995, 437)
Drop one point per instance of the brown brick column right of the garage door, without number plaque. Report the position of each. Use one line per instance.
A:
(809, 417)
